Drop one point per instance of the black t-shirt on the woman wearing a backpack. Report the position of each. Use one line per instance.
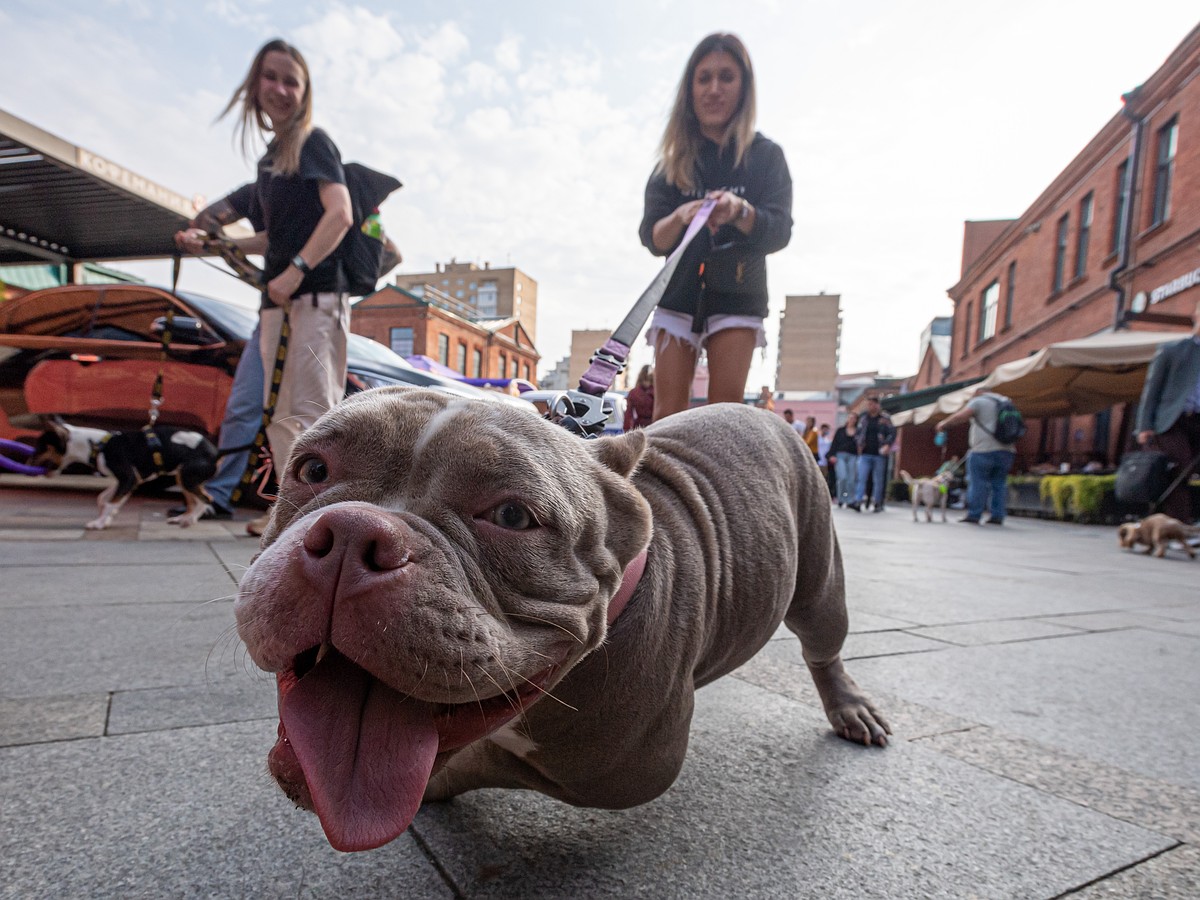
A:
(291, 208)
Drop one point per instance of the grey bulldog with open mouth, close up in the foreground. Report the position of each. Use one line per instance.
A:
(458, 595)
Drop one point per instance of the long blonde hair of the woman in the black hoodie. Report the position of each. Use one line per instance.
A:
(682, 140)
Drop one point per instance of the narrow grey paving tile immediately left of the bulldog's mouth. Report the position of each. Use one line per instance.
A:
(215, 703)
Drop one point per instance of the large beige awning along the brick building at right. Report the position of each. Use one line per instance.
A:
(1071, 377)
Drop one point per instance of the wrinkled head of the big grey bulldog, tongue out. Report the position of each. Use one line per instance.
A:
(433, 568)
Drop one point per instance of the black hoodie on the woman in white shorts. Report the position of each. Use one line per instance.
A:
(735, 265)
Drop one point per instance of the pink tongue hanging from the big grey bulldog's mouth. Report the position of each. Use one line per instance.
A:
(367, 752)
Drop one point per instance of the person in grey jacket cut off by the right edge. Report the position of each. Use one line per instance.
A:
(1169, 412)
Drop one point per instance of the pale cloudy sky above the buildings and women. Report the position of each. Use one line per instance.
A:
(525, 133)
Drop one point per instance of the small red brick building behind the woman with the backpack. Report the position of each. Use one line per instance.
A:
(433, 325)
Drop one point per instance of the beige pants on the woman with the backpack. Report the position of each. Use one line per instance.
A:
(315, 370)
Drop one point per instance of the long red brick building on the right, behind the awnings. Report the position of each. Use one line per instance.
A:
(1114, 242)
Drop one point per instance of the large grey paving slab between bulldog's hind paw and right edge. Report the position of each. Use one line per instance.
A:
(1121, 698)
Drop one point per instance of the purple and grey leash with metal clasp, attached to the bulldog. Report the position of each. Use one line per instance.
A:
(584, 412)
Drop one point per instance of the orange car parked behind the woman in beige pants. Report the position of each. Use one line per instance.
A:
(92, 353)
